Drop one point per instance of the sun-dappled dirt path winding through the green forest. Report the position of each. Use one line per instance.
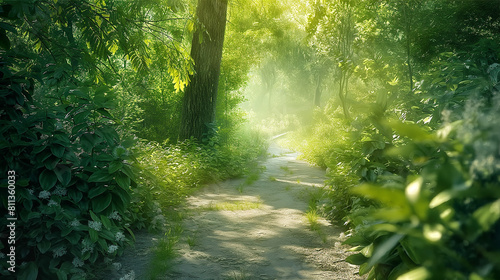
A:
(271, 241)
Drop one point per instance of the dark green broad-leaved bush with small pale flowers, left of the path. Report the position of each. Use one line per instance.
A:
(73, 178)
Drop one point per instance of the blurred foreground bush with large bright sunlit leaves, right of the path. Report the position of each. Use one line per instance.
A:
(442, 221)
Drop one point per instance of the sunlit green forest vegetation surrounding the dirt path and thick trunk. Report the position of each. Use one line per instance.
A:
(397, 100)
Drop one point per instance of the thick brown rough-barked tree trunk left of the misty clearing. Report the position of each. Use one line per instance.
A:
(200, 97)
